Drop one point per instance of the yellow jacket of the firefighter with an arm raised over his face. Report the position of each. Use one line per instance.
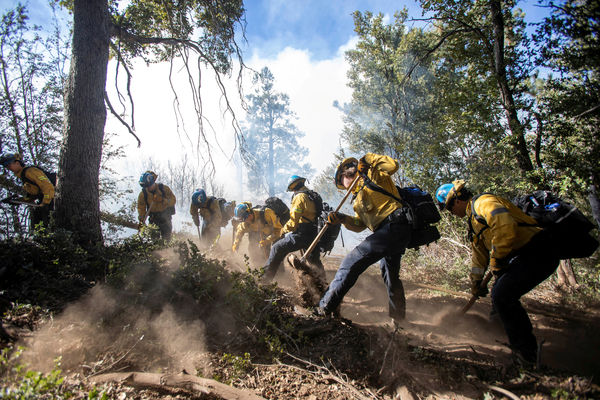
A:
(372, 207)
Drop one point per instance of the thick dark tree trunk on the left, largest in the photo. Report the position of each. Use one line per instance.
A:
(77, 202)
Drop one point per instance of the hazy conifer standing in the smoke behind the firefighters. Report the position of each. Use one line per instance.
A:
(272, 141)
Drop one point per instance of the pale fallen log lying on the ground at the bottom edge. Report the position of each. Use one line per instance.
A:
(181, 380)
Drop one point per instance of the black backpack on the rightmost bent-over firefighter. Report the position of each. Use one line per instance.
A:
(563, 220)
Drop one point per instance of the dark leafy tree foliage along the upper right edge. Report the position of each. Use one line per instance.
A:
(569, 100)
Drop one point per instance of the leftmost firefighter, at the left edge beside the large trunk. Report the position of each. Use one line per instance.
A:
(38, 186)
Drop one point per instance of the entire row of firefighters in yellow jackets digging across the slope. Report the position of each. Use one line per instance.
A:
(503, 238)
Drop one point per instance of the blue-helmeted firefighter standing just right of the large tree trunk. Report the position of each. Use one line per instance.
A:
(156, 202)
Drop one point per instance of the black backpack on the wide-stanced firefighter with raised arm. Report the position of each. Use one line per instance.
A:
(423, 212)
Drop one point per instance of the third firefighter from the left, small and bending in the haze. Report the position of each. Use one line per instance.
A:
(209, 209)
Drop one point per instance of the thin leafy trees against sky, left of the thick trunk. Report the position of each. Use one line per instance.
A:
(32, 72)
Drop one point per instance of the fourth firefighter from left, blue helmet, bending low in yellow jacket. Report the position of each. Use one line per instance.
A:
(261, 224)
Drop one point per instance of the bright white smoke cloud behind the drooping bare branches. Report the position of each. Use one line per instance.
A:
(312, 87)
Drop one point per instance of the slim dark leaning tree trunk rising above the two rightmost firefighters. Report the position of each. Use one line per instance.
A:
(514, 124)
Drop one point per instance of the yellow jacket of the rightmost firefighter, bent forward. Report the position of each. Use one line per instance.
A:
(506, 231)
